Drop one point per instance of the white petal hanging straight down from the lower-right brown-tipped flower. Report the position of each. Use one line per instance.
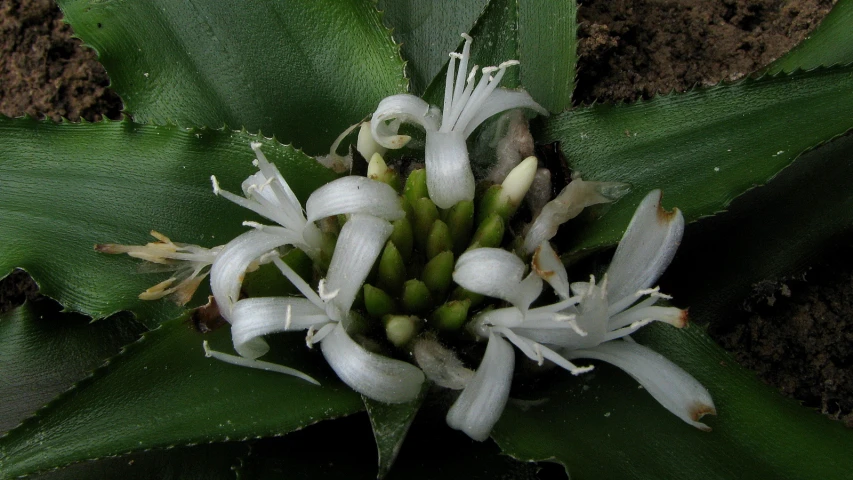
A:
(482, 402)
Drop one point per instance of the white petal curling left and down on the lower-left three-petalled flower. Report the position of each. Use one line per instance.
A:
(252, 318)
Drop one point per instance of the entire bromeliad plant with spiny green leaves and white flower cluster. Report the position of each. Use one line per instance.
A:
(396, 272)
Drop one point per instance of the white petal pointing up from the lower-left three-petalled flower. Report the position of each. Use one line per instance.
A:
(359, 244)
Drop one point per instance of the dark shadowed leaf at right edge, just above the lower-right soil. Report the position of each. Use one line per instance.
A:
(766, 233)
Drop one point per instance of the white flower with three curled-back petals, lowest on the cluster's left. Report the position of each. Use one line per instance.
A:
(325, 314)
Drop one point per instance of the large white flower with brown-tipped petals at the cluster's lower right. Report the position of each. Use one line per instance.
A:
(581, 326)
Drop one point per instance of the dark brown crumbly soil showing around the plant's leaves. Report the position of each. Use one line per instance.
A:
(629, 50)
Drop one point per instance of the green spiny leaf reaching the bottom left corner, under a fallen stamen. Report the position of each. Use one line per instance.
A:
(162, 391)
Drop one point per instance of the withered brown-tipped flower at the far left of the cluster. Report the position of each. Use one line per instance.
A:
(188, 262)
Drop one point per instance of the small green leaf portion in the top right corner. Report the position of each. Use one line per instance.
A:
(831, 43)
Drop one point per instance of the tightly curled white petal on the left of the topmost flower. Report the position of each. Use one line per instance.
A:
(401, 108)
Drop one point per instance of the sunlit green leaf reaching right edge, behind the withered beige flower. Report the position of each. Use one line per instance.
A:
(702, 148)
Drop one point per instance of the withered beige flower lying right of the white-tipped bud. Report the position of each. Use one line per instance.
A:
(577, 195)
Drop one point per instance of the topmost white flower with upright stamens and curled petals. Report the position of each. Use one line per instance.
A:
(467, 104)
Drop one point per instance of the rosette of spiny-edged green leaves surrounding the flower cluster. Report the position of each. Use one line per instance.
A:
(201, 79)
